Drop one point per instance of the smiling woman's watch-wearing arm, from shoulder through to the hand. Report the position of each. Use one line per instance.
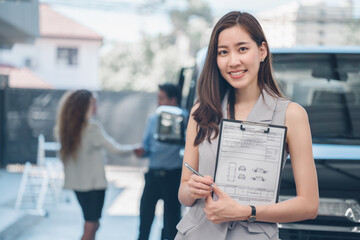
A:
(304, 205)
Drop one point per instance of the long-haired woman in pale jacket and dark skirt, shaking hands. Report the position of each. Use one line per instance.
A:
(82, 142)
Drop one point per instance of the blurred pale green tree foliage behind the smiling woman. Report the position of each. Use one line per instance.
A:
(141, 66)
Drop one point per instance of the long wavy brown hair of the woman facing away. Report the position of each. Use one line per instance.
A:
(71, 120)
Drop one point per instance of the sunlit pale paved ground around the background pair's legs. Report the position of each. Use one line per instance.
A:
(64, 221)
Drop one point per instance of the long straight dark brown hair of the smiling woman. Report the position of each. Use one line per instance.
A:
(212, 86)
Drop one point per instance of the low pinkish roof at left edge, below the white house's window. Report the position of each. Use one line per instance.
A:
(23, 78)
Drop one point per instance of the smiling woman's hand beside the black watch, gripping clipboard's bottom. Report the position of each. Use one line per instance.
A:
(224, 209)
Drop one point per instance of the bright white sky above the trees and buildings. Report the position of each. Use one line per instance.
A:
(123, 23)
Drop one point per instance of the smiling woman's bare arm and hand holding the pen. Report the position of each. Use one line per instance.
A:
(192, 187)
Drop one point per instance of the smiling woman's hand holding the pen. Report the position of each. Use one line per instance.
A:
(200, 187)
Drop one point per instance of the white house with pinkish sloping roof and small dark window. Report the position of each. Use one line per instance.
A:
(65, 55)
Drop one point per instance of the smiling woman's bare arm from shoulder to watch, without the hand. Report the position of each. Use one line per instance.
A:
(306, 203)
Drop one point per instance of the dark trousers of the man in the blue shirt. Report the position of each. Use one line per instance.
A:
(160, 184)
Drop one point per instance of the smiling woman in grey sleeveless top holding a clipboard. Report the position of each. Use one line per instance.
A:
(237, 83)
